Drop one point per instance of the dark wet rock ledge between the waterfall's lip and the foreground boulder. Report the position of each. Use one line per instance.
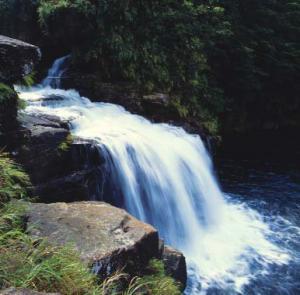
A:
(61, 168)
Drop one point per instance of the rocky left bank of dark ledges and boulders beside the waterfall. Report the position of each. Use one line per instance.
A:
(65, 169)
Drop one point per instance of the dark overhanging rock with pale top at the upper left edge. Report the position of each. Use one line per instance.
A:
(17, 59)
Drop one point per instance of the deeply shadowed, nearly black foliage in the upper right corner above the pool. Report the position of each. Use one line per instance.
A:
(258, 67)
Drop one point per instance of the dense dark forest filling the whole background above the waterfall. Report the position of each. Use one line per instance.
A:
(229, 64)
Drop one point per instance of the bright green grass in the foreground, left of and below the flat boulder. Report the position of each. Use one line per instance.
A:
(32, 263)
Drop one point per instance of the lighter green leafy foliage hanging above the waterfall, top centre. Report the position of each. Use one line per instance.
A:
(157, 45)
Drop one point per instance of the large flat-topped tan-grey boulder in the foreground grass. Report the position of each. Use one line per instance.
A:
(107, 238)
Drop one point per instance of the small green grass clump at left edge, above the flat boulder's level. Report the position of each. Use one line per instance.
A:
(14, 182)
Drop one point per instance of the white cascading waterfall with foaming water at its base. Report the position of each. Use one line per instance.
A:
(165, 177)
